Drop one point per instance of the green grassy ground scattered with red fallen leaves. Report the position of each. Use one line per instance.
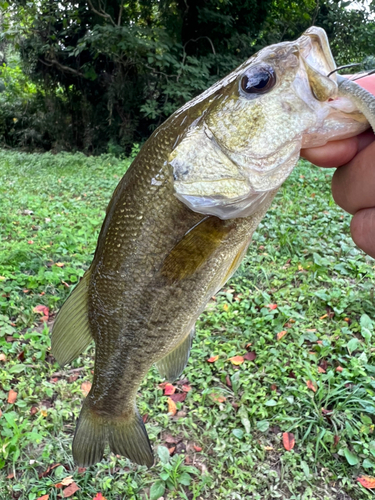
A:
(302, 259)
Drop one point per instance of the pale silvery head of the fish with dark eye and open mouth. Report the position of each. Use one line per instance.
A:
(252, 125)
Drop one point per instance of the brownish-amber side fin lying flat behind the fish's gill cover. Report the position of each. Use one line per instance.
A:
(195, 248)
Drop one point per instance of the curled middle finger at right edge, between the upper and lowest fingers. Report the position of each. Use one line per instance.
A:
(353, 185)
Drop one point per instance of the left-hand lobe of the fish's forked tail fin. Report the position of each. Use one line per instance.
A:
(90, 437)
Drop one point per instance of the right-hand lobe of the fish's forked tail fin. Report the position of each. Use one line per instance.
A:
(128, 437)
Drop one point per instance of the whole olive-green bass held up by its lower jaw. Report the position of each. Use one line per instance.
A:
(179, 223)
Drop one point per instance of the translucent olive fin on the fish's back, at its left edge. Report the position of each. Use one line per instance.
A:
(71, 331)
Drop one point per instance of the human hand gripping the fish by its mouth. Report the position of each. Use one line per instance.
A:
(353, 183)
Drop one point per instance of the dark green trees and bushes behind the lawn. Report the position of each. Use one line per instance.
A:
(107, 72)
